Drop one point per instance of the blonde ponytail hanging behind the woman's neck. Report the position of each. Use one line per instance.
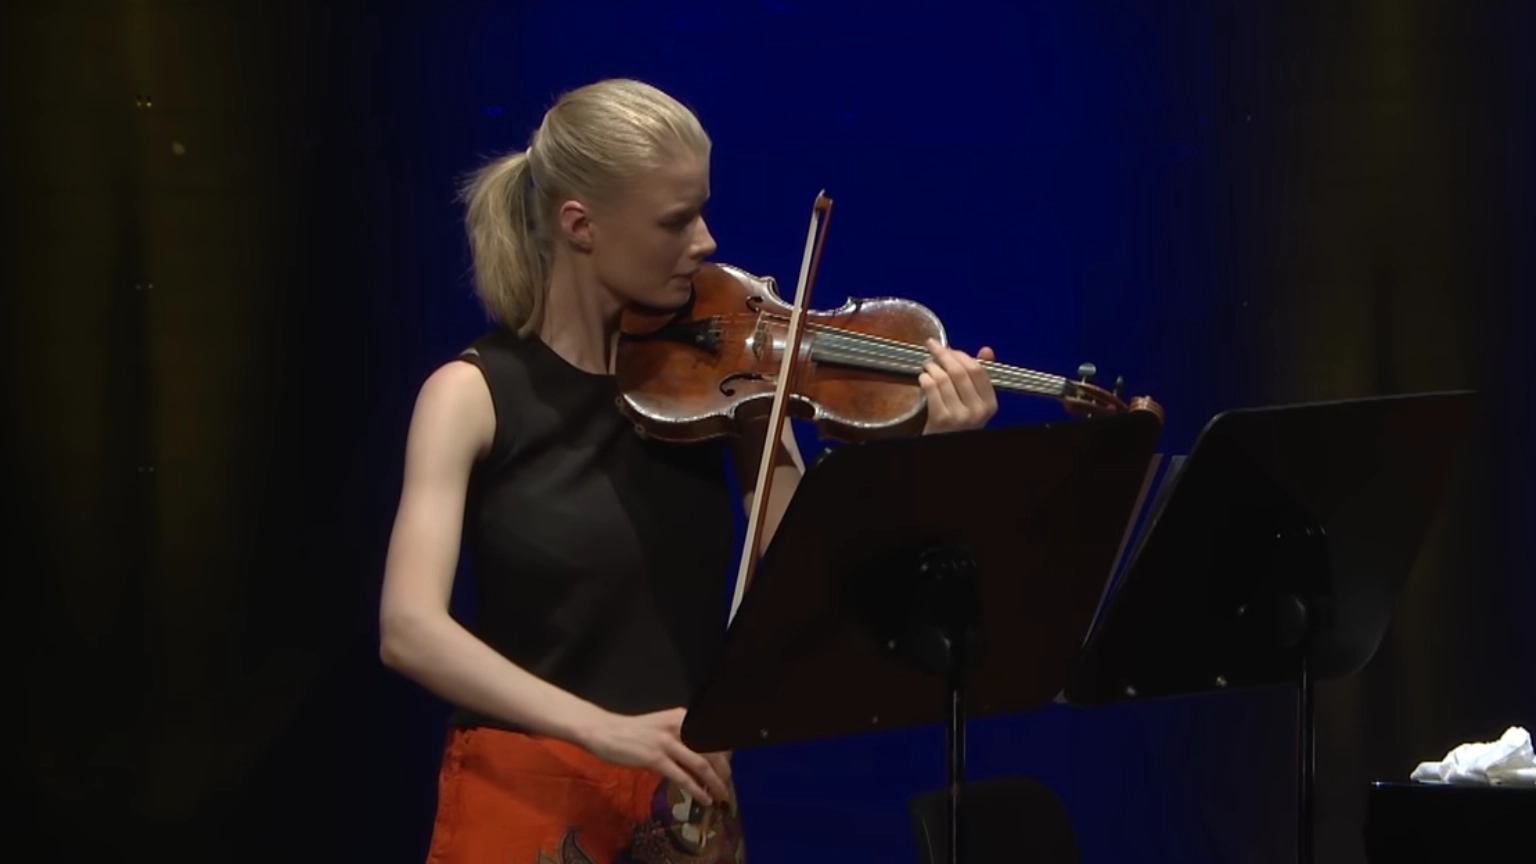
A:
(512, 264)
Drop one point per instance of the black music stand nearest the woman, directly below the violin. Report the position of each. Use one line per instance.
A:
(927, 580)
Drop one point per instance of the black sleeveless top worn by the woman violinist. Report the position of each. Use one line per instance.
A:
(601, 559)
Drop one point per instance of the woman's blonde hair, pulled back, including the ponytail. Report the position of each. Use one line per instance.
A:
(594, 142)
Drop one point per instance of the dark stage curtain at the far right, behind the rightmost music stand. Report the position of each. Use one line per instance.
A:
(1383, 231)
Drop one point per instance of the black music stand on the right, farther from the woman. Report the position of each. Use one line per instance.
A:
(1279, 556)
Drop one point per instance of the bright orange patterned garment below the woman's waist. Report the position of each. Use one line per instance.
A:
(514, 799)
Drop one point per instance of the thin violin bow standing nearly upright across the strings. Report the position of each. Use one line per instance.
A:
(752, 548)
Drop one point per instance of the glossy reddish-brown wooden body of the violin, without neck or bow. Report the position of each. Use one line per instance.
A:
(700, 371)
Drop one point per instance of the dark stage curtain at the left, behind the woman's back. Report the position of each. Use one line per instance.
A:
(197, 476)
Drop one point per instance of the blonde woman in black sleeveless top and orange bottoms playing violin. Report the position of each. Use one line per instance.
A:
(601, 557)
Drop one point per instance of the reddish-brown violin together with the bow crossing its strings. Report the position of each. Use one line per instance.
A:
(738, 354)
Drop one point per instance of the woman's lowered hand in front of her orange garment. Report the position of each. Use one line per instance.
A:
(655, 742)
